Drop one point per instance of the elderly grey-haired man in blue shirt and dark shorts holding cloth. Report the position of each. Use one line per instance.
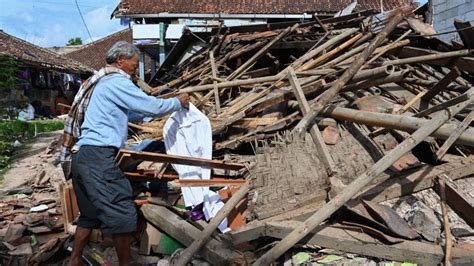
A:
(104, 195)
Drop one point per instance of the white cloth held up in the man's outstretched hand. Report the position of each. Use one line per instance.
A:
(188, 132)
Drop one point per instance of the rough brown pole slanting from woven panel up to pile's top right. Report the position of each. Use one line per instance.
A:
(349, 73)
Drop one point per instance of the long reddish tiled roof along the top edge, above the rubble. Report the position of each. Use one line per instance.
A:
(130, 7)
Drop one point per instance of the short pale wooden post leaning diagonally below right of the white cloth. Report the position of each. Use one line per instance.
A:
(188, 253)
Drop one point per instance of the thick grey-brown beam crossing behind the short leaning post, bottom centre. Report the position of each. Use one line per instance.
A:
(213, 251)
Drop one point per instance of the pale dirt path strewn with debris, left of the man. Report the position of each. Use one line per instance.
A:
(25, 165)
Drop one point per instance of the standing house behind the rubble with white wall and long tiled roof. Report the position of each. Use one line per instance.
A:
(158, 24)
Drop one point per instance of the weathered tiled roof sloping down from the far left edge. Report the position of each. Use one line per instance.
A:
(35, 55)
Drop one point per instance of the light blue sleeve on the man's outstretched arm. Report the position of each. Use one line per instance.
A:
(127, 95)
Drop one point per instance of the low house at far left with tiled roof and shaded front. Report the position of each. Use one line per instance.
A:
(45, 78)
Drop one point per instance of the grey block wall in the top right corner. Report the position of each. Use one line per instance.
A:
(445, 11)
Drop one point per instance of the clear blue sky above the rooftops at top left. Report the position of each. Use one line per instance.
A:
(50, 23)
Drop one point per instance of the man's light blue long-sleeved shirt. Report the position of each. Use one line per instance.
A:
(116, 99)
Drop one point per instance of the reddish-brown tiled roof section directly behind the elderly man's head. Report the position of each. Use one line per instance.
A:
(93, 54)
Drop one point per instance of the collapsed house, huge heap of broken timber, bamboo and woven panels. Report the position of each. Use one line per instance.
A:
(343, 135)
